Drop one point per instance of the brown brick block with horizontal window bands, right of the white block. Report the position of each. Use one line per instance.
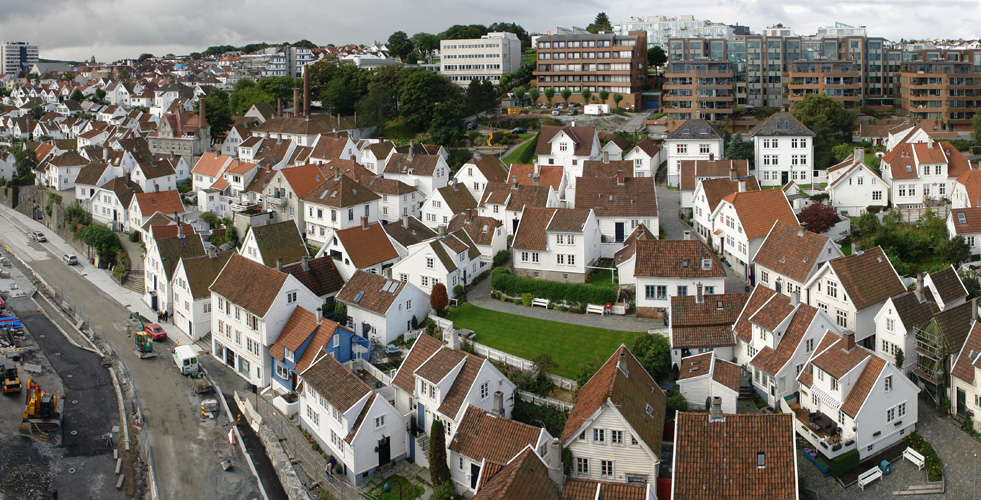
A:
(604, 61)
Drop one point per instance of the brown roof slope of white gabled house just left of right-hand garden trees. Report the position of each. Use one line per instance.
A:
(867, 278)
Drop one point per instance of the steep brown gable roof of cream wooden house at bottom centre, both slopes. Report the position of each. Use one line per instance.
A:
(631, 392)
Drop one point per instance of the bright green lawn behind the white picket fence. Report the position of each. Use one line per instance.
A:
(570, 345)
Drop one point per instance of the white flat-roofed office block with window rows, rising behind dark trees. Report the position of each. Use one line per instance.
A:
(486, 58)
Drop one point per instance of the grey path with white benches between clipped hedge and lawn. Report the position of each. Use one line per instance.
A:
(480, 297)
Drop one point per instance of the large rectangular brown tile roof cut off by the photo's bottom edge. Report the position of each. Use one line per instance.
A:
(719, 459)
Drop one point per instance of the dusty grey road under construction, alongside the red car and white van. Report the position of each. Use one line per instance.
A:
(183, 444)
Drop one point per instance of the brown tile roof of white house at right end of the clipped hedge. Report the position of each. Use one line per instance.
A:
(675, 258)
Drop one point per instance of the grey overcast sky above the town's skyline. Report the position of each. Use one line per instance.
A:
(114, 29)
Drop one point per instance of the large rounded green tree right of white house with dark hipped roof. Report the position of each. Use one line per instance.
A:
(829, 120)
